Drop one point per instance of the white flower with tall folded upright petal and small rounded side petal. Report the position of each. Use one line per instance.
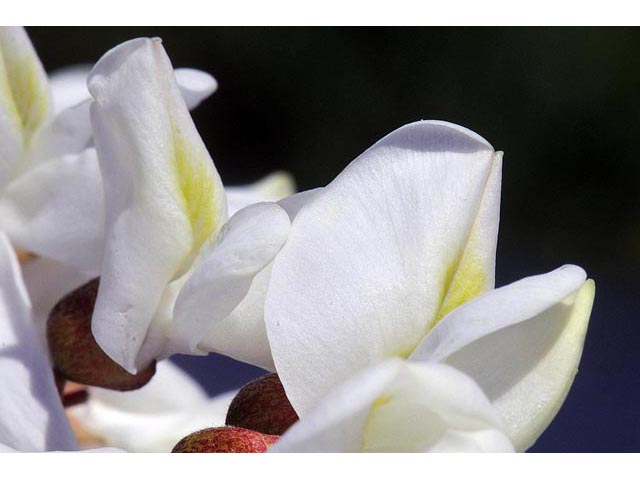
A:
(165, 205)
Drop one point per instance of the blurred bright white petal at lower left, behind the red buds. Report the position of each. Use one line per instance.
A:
(153, 418)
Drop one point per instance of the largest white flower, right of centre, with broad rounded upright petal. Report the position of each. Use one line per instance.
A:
(396, 258)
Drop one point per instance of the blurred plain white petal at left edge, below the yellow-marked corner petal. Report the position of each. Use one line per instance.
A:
(56, 209)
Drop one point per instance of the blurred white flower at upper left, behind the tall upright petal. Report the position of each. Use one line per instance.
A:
(51, 200)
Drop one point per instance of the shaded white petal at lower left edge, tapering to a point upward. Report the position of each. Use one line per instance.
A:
(31, 414)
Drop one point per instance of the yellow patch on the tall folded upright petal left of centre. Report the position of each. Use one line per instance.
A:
(196, 184)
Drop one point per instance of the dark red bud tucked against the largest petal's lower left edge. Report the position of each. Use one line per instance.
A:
(263, 406)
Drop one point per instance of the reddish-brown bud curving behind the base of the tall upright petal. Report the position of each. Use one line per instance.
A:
(76, 355)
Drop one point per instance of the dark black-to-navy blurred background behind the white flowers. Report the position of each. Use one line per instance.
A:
(563, 104)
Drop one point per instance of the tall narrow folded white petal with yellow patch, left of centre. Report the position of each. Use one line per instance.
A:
(163, 197)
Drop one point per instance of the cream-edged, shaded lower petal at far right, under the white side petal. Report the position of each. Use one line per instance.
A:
(527, 368)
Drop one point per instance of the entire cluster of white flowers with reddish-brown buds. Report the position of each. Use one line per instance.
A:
(371, 300)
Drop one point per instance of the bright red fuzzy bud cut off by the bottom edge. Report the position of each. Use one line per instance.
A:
(225, 440)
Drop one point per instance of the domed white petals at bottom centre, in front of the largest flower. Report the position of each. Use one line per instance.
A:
(400, 407)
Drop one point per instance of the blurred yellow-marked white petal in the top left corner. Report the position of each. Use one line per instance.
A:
(25, 102)
